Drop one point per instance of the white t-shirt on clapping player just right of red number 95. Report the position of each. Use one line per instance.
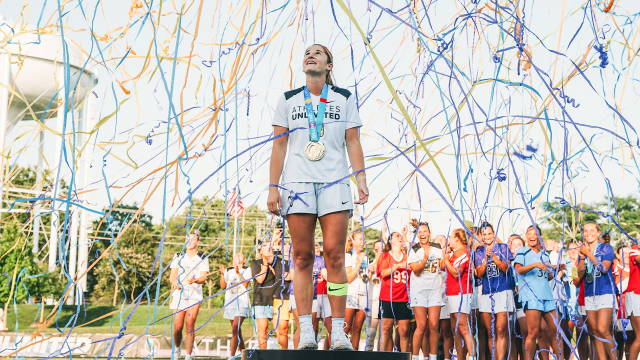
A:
(430, 277)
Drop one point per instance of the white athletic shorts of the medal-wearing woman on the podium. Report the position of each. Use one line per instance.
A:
(312, 198)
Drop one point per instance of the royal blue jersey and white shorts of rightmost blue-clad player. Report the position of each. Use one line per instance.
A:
(600, 289)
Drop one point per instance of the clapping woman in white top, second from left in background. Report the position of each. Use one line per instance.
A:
(236, 298)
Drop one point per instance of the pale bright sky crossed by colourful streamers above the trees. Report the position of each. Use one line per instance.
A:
(493, 92)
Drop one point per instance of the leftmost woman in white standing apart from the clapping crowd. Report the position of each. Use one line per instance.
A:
(188, 272)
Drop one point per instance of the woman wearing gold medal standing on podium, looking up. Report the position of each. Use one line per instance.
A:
(315, 184)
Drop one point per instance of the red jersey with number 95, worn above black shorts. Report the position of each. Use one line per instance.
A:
(394, 287)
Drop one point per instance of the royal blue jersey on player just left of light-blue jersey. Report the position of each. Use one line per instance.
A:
(494, 280)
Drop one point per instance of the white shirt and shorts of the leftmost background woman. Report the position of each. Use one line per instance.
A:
(188, 268)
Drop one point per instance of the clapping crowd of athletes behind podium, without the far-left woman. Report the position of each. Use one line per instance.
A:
(468, 294)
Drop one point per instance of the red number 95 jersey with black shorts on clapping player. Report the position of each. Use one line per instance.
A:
(393, 288)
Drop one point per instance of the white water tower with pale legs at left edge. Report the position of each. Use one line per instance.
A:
(45, 79)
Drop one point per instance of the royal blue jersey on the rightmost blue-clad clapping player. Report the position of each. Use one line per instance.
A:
(602, 283)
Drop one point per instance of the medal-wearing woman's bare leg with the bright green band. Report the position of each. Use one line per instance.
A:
(334, 230)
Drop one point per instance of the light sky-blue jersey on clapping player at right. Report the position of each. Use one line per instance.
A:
(533, 285)
